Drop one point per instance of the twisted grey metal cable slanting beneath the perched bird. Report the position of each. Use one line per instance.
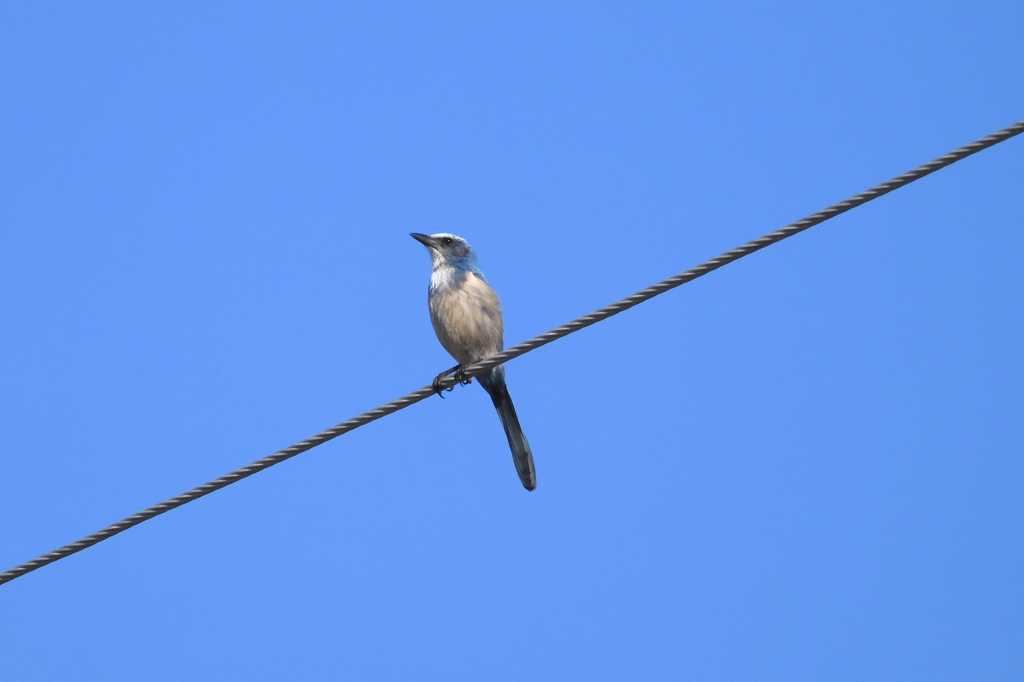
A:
(516, 352)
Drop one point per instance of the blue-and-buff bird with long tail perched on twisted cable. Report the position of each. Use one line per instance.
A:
(467, 319)
